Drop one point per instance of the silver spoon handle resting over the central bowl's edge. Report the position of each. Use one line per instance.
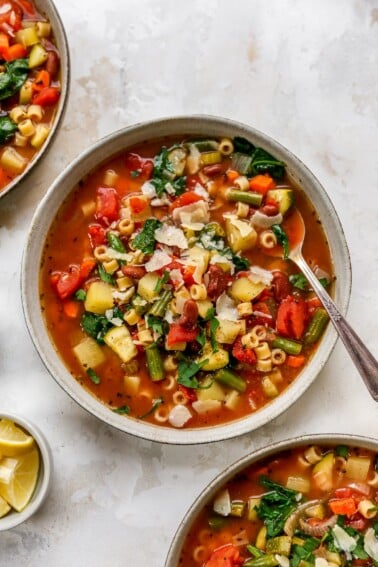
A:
(365, 362)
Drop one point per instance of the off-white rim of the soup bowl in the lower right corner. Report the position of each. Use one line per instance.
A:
(330, 439)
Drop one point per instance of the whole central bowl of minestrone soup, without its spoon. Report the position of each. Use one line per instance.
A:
(156, 284)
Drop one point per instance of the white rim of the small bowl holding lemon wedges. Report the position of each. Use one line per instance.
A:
(13, 518)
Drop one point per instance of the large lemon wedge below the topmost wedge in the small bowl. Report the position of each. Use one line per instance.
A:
(19, 490)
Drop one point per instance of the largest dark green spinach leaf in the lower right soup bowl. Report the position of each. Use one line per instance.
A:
(276, 505)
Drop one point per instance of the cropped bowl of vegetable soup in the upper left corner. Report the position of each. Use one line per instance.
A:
(34, 77)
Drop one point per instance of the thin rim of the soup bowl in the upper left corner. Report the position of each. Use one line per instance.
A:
(47, 8)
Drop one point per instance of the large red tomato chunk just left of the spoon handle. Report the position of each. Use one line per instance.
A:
(291, 317)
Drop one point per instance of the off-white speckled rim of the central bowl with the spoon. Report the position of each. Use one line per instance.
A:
(99, 152)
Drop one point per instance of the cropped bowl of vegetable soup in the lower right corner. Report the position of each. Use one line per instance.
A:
(310, 501)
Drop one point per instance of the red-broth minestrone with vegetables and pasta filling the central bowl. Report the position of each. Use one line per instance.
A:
(166, 286)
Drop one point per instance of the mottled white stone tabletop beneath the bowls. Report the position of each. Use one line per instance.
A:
(305, 73)
